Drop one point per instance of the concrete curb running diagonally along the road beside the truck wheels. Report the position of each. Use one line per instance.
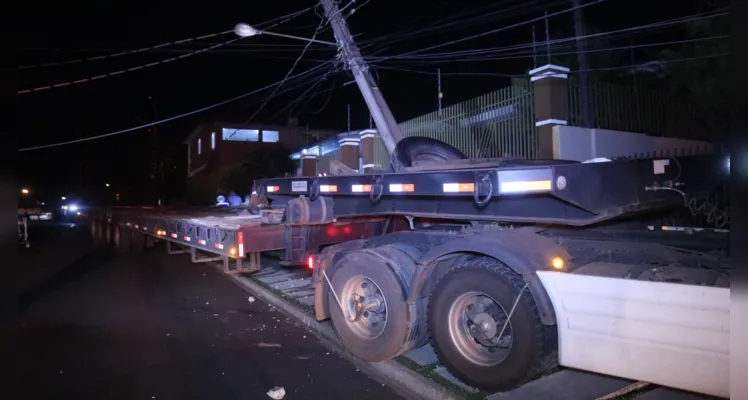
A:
(402, 379)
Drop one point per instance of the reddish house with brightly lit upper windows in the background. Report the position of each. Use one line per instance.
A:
(214, 149)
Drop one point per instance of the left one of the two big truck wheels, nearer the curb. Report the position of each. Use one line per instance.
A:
(372, 284)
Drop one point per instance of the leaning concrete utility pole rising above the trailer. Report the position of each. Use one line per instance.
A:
(380, 112)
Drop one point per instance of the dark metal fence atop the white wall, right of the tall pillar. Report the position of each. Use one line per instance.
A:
(633, 109)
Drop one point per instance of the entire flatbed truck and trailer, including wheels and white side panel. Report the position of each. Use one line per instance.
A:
(502, 282)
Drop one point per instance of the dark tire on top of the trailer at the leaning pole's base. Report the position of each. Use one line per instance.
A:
(419, 148)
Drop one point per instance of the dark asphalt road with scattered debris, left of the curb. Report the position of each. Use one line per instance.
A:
(154, 326)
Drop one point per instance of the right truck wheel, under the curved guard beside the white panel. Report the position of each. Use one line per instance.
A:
(468, 309)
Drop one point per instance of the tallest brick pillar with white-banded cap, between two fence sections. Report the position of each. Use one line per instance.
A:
(549, 86)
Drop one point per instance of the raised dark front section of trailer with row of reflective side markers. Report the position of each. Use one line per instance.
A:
(546, 192)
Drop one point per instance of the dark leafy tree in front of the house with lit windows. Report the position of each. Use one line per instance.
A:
(272, 161)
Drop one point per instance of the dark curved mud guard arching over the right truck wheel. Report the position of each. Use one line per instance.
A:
(525, 253)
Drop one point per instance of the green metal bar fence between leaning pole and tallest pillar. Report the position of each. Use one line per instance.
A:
(497, 124)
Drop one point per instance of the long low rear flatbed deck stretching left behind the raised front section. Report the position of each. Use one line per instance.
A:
(236, 234)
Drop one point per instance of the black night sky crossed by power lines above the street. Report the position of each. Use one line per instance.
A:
(68, 31)
